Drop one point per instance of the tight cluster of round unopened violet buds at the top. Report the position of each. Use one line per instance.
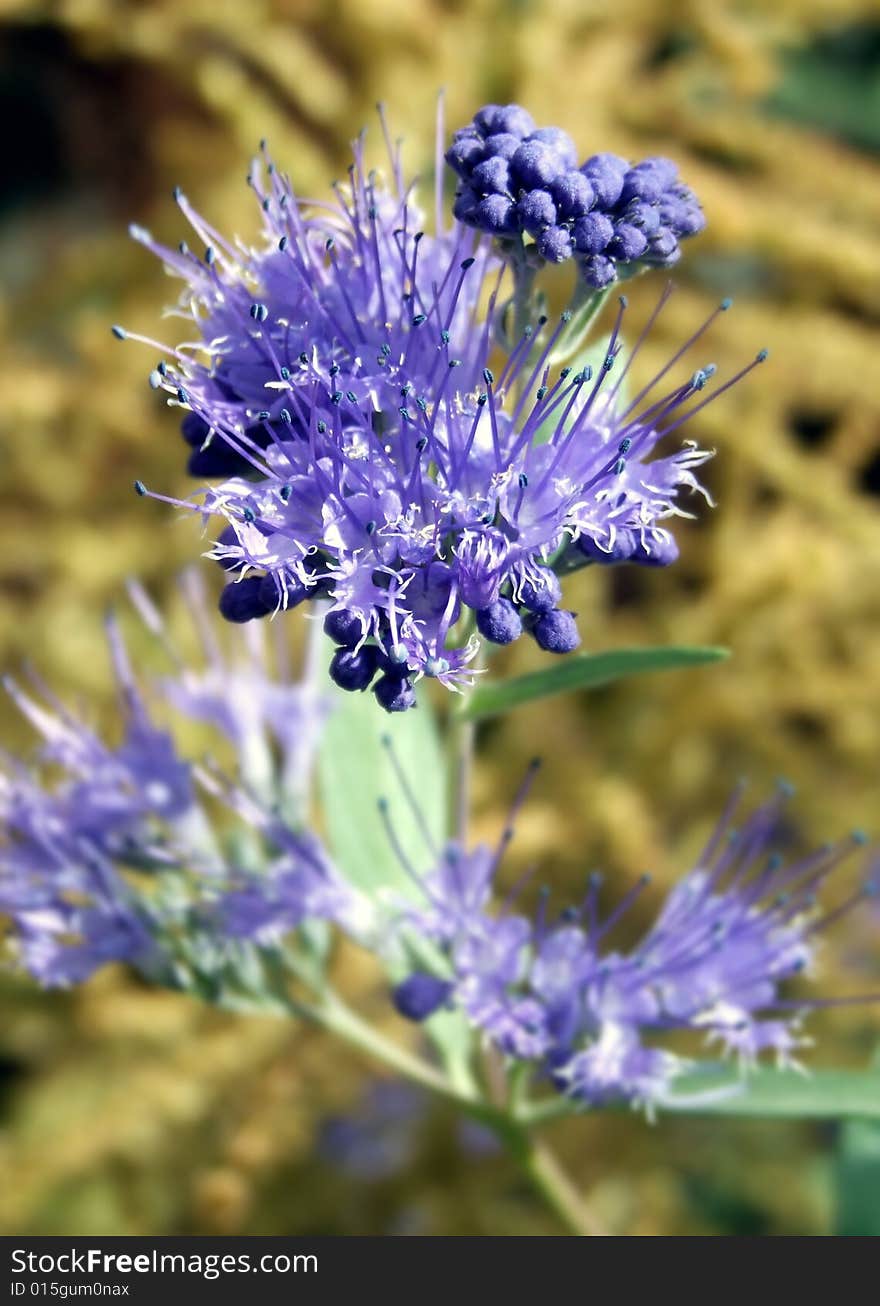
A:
(520, 182)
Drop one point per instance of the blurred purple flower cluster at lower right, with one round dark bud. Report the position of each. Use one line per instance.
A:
(591, 1019)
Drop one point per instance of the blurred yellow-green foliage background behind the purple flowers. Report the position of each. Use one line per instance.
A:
(135, 1112)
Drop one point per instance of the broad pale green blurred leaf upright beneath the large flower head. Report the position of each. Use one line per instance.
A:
(356, 772)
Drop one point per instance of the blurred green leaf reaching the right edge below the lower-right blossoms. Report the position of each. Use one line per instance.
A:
(779, 1094)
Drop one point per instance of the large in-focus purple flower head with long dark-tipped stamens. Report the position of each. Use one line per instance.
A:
(365, 441)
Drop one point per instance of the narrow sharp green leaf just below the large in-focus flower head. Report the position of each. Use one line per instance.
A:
(586, 672)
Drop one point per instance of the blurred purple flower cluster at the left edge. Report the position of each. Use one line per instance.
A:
(119, 860)
